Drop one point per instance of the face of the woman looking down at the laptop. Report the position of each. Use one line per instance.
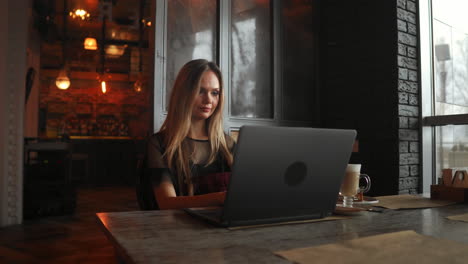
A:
(206, 101)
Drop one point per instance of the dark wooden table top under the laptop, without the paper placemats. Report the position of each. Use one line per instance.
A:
(172, 236)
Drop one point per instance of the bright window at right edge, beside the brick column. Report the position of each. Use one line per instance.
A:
(444, 45)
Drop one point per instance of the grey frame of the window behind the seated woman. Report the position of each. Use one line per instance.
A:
(231, 123)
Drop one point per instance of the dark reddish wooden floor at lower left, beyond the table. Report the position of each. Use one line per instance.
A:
(75, 238)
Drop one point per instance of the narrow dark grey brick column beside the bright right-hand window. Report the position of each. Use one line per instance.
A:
(408, 97)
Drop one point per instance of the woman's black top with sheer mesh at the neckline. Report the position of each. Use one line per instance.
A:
(200, 150)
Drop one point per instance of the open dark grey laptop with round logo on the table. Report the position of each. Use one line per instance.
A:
(283, 174)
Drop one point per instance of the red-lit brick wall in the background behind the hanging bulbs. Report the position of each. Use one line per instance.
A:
(82, 109)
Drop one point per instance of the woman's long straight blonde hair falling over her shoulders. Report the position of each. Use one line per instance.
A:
(176, 127)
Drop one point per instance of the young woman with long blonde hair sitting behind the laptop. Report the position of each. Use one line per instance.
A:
(190, 157)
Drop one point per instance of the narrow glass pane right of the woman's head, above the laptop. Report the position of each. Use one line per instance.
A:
(252, 93)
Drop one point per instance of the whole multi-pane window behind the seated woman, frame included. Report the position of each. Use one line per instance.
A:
(265, 49)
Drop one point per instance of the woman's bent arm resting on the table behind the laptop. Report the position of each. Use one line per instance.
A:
(167, 198)
